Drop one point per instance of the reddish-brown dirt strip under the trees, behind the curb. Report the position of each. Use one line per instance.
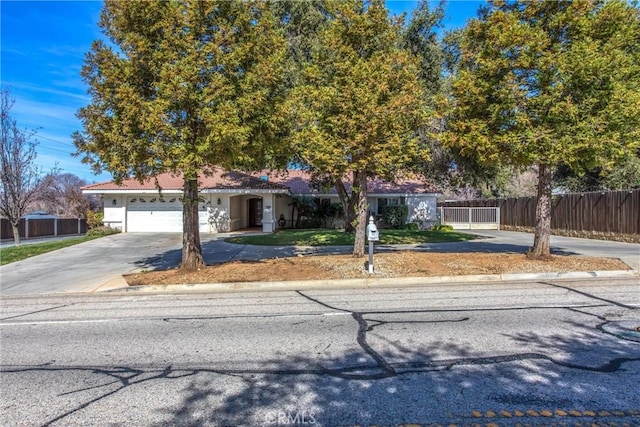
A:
(394, 264)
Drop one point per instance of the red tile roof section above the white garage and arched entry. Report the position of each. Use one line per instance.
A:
(219, 180)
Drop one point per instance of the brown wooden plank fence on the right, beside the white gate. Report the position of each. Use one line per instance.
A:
(615, 212)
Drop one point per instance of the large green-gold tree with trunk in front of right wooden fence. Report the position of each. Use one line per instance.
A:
(546, 83)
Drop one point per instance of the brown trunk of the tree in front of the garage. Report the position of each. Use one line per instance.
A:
(191, 249)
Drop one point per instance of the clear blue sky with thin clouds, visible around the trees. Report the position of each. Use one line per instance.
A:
(43, 44)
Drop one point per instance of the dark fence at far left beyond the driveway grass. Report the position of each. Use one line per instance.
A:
(42, 227)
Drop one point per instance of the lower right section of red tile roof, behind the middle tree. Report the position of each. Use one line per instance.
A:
(299, 182)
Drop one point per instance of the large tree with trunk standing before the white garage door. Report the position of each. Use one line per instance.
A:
(183, 85)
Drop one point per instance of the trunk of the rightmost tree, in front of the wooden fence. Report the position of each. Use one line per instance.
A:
(542, 240)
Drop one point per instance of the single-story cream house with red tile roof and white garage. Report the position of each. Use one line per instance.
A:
(235, 200)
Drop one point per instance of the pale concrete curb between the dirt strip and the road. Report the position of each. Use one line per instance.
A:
(372, 282)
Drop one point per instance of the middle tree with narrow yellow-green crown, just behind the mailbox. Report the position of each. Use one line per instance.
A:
(359, 104)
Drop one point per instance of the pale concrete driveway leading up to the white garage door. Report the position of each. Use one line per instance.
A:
(87, 266)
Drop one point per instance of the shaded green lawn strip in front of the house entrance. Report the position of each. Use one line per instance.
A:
(324, 237)
